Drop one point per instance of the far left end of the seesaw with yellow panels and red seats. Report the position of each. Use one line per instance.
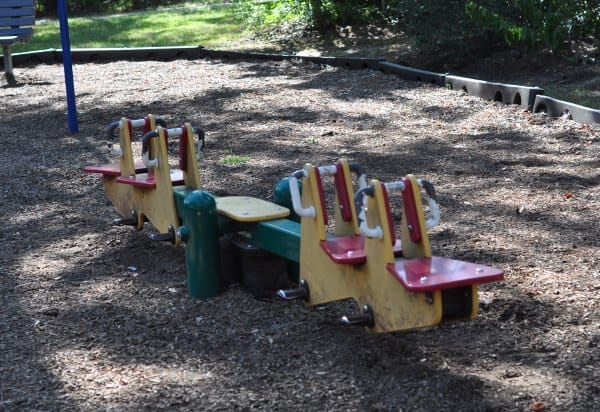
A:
(144, 190)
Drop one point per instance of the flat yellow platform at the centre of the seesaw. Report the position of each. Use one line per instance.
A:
(250, 209)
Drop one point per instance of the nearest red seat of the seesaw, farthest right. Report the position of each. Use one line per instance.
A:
(435, 273)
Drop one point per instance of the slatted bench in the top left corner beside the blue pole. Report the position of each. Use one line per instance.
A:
(17, 18)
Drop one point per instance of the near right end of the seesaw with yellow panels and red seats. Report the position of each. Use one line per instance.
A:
(397, 283)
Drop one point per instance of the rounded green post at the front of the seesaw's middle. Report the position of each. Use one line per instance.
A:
(200, 232)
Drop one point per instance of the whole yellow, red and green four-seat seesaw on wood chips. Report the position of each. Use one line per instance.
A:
(398, 284)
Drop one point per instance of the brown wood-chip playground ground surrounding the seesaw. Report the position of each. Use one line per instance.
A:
(96, 317)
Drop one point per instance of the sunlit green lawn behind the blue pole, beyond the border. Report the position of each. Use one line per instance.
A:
(210, 26)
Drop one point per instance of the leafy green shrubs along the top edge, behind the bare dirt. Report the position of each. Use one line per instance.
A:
(454, 28)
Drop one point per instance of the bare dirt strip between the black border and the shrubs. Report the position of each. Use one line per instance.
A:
(574, 78)
